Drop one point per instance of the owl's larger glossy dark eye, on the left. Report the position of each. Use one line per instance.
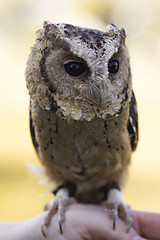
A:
(75, 69)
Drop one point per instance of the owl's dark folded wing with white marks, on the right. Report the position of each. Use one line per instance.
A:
(132, 125)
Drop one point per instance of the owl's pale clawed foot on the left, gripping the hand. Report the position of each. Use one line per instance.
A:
(59, 203)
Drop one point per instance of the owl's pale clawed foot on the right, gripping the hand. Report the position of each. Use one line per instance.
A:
(116, 206)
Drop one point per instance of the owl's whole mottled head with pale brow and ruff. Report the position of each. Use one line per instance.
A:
(82, 71)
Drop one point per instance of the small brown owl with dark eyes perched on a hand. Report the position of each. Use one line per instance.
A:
(83, 115)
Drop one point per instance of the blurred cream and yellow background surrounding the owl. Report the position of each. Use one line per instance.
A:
(19, 19)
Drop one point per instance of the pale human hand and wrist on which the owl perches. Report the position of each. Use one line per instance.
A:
(84, 222)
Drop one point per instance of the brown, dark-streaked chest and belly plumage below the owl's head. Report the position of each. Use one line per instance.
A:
(81, 150)
